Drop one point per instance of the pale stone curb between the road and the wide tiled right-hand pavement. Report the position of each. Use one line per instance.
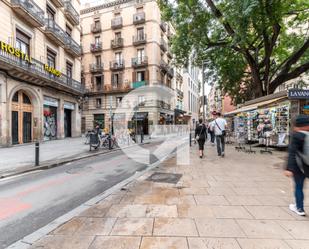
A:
(30, 239)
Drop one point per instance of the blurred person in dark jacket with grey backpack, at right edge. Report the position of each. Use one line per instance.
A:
(298, 161)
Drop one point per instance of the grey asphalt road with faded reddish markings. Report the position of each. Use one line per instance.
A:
(31, 201)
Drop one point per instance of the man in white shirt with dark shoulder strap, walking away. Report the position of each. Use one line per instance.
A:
(219, 126)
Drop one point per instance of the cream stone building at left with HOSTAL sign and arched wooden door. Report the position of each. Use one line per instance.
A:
(39, 70)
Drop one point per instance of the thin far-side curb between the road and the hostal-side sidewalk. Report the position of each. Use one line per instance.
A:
(59, 163)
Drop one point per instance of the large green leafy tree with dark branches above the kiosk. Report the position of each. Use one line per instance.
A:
(250, 47)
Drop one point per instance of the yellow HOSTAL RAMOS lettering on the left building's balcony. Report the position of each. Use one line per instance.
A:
(23, 56)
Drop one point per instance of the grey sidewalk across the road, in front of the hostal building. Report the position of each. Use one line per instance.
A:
(22, 157)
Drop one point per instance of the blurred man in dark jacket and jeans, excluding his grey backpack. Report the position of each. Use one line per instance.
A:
(296, 146)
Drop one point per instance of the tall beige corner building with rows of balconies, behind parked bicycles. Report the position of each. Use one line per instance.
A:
(125, 46)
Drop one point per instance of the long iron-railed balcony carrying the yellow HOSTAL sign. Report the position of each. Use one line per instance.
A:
(35, 73)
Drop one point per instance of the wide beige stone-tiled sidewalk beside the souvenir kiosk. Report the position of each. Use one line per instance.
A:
(237, 202)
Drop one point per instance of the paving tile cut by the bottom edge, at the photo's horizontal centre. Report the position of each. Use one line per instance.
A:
(164, 243)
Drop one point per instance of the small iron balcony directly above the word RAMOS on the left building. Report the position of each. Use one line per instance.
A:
(56, 33)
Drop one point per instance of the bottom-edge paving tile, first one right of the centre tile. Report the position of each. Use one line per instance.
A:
(214, 243)
